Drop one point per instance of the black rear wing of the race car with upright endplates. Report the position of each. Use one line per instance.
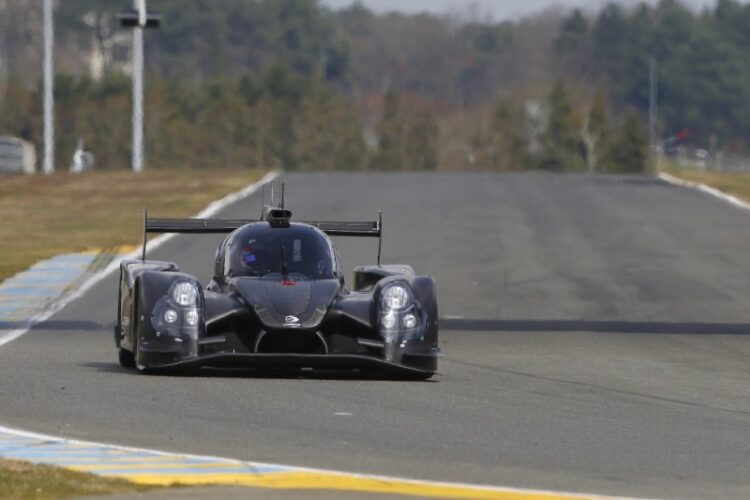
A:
(372, 229)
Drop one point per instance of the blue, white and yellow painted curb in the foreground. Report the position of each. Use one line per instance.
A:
(151, 467)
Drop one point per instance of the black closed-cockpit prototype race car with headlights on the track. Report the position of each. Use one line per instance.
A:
(277, 300)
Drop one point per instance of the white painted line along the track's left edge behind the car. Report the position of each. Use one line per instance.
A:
(211, 210)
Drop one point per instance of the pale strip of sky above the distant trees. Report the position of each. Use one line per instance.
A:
(498, 9)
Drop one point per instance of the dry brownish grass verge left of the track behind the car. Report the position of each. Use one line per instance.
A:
(42, 216)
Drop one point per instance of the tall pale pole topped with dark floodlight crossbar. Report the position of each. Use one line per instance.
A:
(138, 19)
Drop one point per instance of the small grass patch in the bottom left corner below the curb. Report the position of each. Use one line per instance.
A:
(23, 480)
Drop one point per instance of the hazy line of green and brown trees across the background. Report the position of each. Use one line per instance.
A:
(291, 83)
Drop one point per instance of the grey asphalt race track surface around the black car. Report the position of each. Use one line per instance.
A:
(596, 333)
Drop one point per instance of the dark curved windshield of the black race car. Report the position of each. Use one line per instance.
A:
(299, 252)
